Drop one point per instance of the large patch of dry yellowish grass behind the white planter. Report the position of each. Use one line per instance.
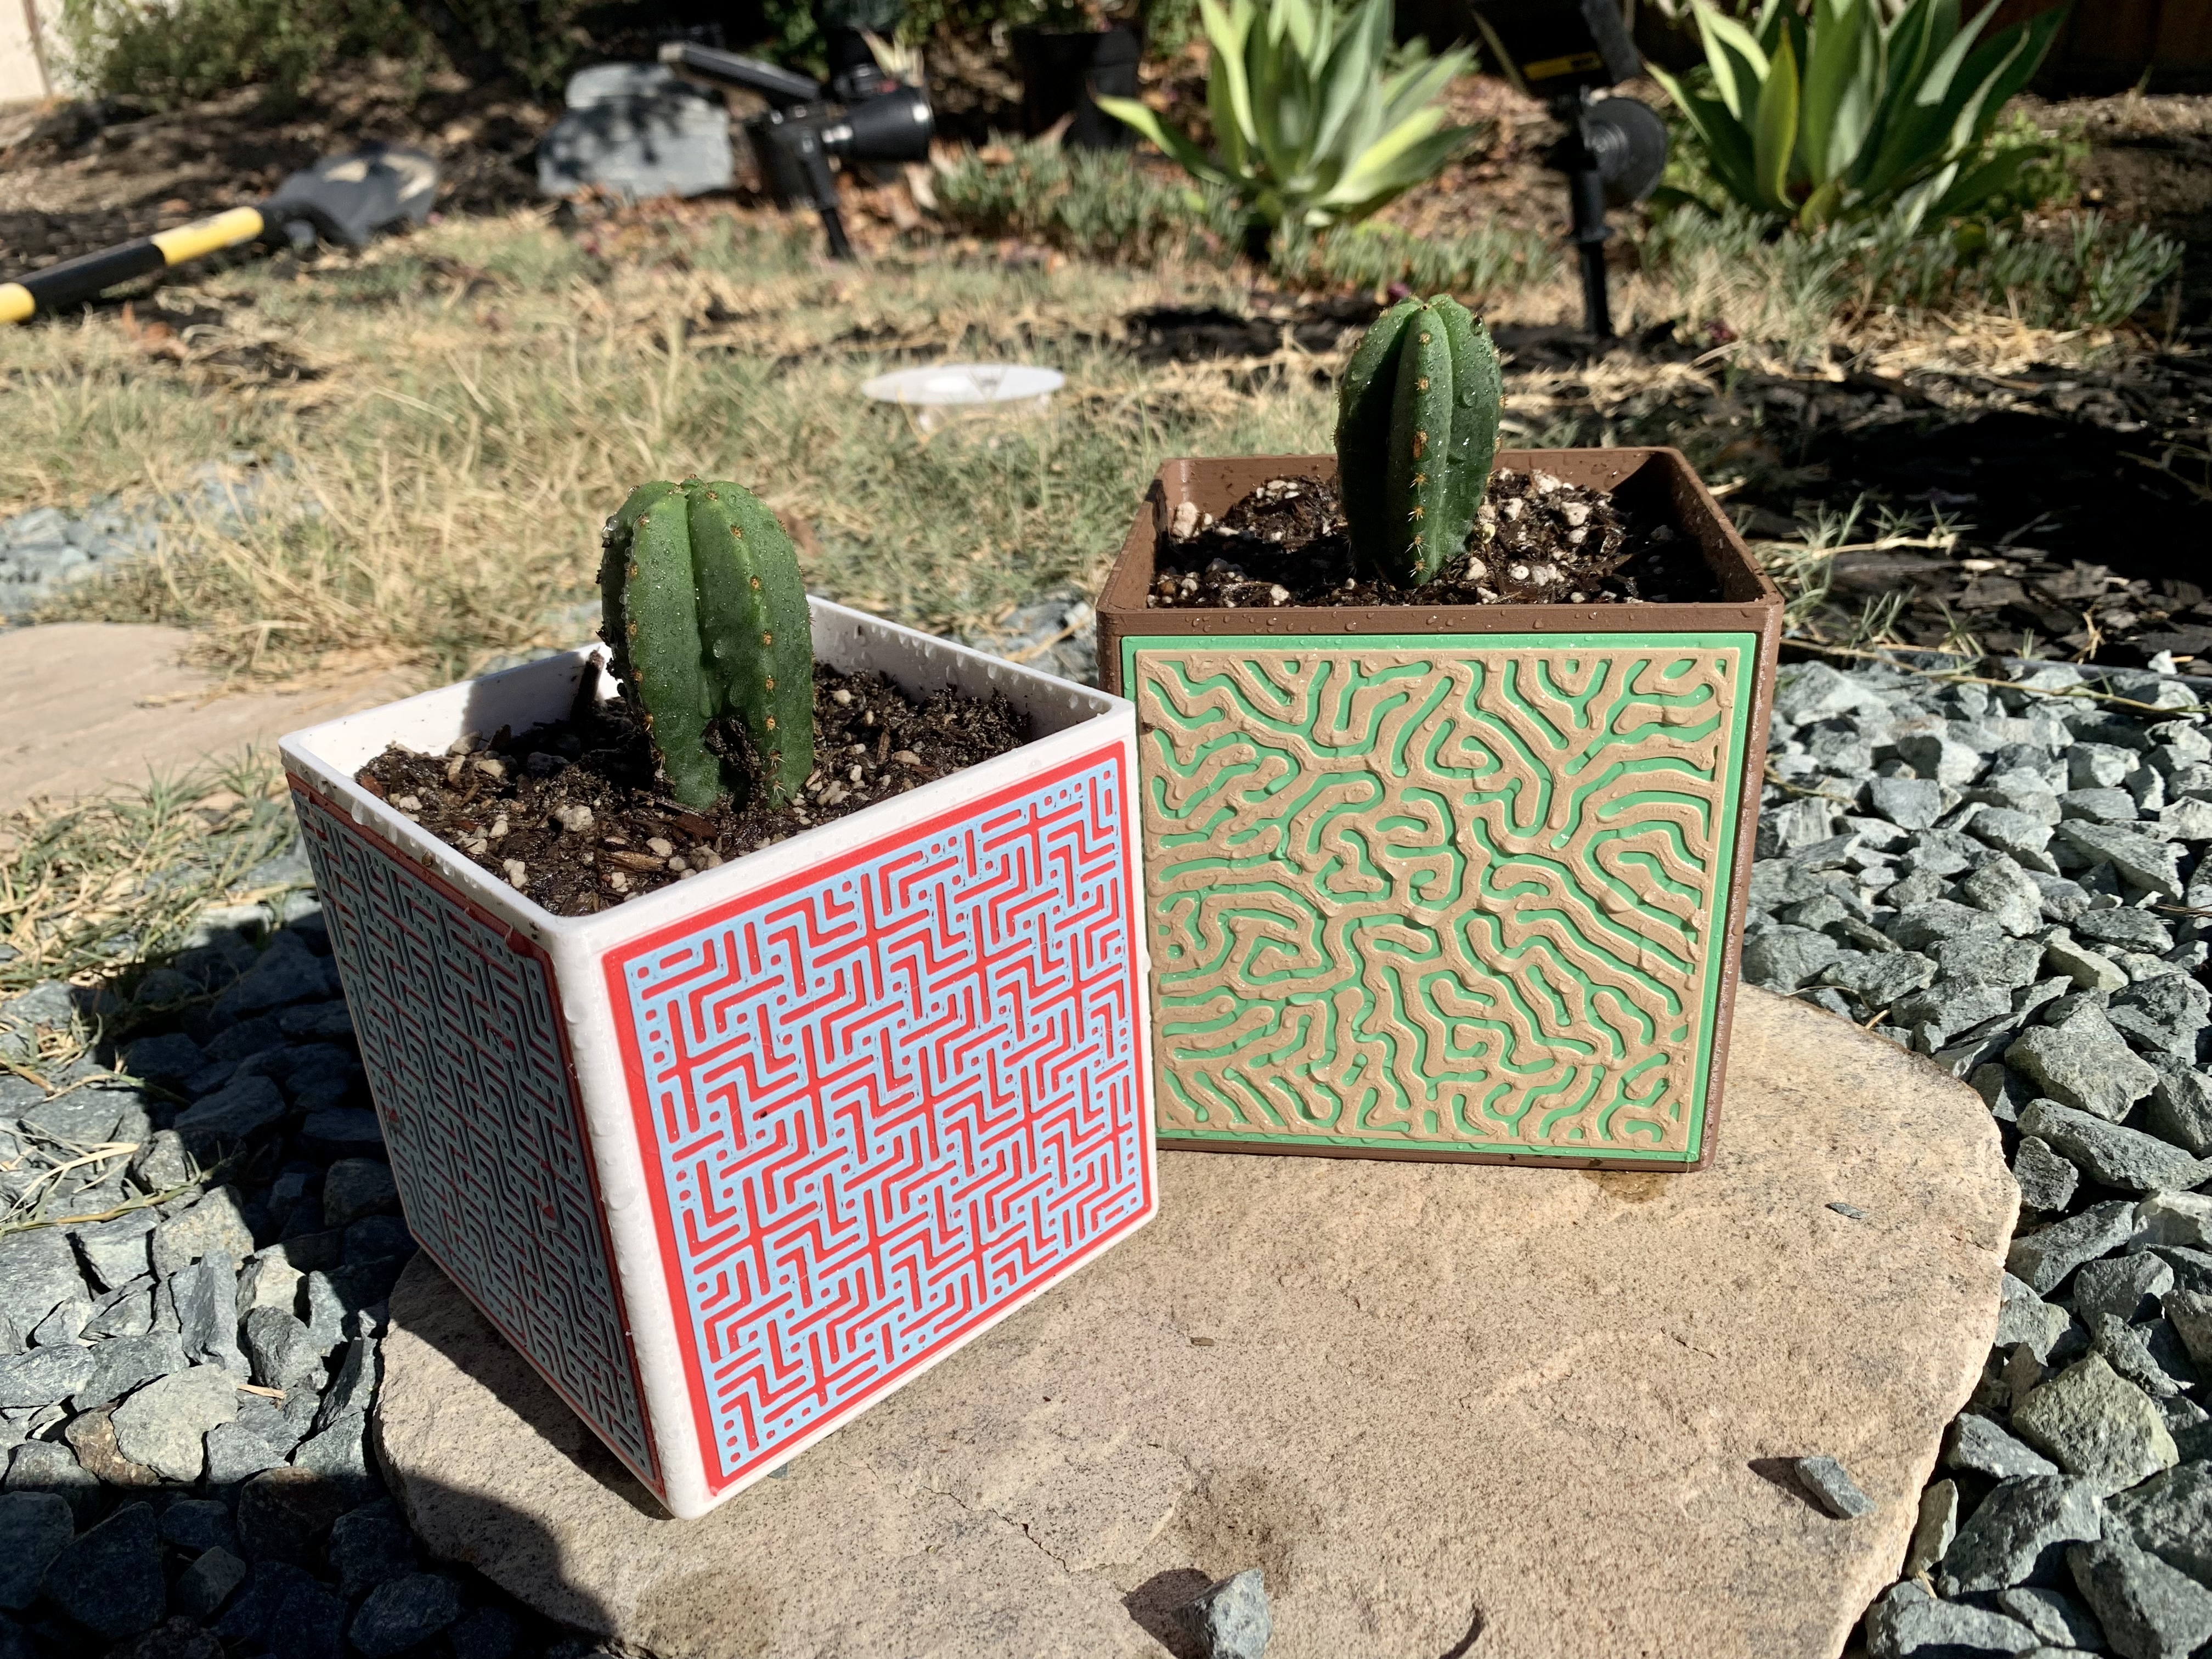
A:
(461, 413)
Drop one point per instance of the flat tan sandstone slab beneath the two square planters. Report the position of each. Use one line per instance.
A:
(1552, 1408)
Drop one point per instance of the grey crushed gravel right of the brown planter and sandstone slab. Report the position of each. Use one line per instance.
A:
(2012, 881)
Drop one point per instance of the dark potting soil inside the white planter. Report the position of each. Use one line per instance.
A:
(576, 813)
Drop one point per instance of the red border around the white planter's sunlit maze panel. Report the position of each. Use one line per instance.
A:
(634, 1072)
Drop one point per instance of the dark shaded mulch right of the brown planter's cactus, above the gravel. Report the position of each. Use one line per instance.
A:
(2023, 510)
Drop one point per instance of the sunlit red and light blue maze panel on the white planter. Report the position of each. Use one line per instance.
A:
(890, 1103)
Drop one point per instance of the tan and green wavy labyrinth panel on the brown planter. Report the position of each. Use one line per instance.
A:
(1446, 899)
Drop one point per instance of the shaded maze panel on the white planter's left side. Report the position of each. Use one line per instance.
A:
(461, 1030)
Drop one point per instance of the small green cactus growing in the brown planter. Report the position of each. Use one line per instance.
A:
(1417, 430)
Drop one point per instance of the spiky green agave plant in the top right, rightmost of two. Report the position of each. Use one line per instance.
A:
(1850, 112)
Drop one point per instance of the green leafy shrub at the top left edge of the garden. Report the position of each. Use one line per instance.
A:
(196, 50)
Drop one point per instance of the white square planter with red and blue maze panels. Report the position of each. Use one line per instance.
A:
(735, 1160)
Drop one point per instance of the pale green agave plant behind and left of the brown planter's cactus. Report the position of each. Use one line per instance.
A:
(1311, 125)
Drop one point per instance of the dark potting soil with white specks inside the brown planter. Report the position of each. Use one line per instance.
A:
(1538, 541)
